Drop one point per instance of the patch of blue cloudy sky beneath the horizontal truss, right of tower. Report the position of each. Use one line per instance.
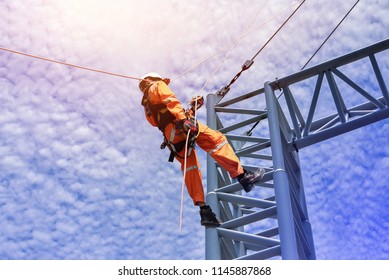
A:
(344, 207)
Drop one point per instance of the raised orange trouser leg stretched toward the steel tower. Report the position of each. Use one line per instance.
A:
(217, 146)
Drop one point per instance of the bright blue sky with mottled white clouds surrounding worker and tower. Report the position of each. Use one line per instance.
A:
(82, 175)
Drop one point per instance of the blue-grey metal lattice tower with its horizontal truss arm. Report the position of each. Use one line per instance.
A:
(272, 221)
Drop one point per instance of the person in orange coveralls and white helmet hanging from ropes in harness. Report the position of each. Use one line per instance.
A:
(163, 110)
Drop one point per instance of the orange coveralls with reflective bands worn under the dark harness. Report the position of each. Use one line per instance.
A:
(211, 141)
